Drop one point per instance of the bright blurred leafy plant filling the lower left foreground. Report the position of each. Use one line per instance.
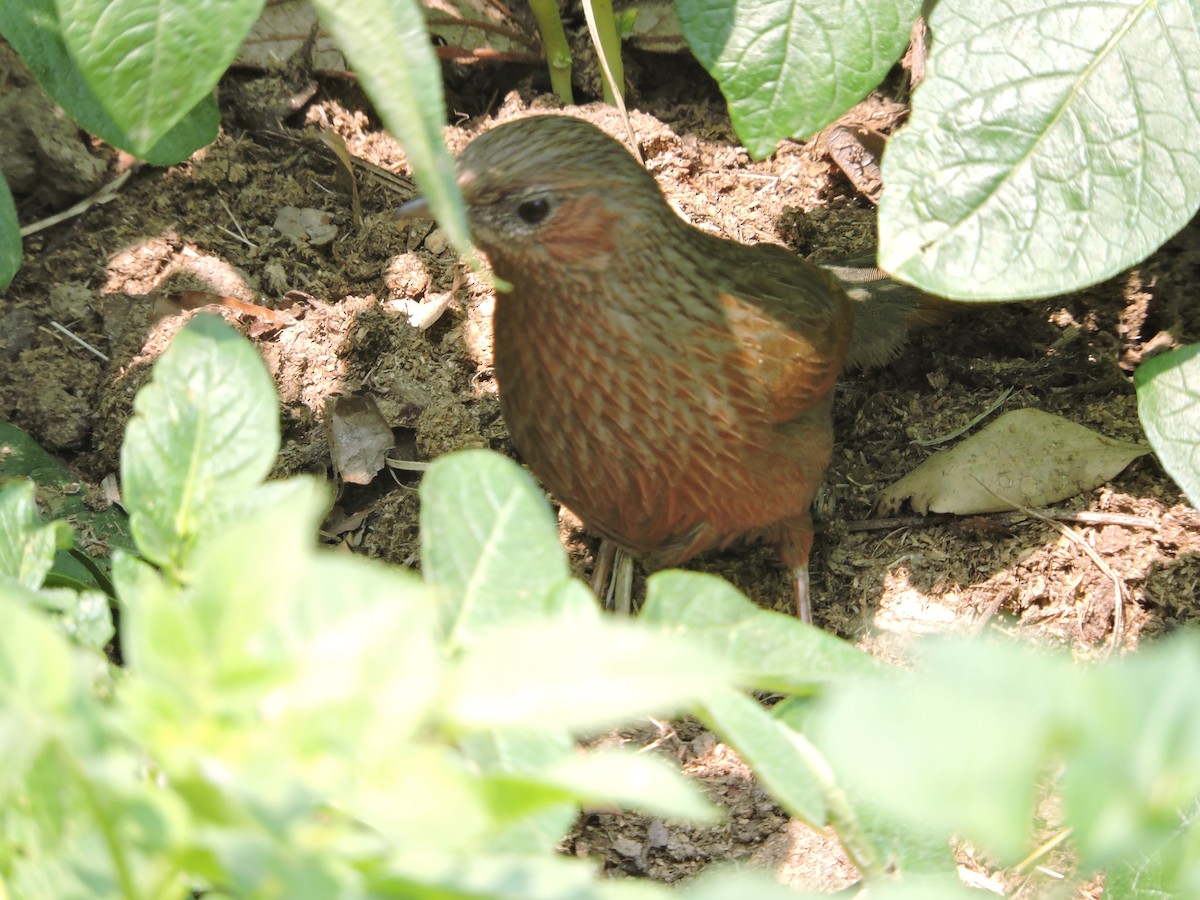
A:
(296, 723)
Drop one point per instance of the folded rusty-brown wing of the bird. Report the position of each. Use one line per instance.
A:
(790, 326)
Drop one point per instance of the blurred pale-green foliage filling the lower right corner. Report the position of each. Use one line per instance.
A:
(979, 734)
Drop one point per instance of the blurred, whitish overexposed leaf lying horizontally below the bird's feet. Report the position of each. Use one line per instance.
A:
(578, 675)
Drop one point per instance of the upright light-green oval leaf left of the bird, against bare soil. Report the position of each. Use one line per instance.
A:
(205, 431)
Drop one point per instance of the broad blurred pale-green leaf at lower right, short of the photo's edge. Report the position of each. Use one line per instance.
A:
(958, 747)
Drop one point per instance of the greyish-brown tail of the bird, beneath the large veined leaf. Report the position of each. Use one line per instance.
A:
(886, 313)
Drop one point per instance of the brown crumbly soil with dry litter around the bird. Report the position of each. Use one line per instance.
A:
(116, 275)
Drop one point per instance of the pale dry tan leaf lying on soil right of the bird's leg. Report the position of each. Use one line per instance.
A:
(1027, 457)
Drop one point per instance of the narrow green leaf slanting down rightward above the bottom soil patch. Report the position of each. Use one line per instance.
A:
(784, 763)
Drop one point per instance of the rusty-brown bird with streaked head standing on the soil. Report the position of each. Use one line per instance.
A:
(673, 388)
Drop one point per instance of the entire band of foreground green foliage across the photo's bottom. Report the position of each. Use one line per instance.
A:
(297, 723)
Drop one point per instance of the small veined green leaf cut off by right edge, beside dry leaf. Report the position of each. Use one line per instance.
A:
(1169, 407)
